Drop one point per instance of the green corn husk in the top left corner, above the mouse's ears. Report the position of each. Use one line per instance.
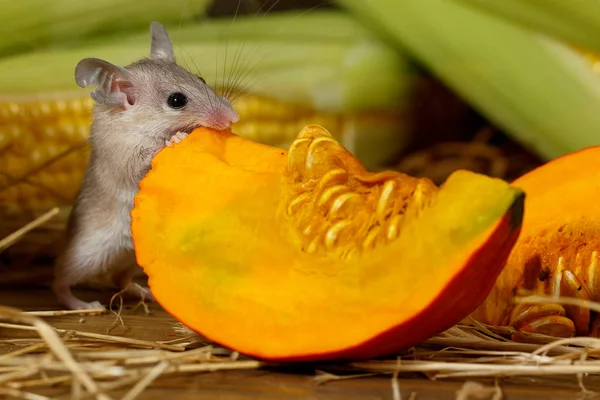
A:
(27, 25)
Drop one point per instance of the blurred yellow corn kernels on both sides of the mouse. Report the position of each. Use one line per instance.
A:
(43, 149)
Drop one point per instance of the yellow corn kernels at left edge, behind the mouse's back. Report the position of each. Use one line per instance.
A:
(32, 134)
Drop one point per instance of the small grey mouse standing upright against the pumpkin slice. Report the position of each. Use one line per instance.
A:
(139, 109)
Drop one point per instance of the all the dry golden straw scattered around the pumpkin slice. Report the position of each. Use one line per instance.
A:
(92, 365)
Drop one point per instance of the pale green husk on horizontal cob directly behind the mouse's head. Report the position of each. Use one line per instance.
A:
(323, 60)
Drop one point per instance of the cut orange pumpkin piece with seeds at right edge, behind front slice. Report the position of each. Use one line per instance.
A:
(556, 253)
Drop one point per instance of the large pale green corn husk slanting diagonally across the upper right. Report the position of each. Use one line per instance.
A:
(539, 90)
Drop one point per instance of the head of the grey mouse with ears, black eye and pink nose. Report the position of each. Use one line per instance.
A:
(157, 87)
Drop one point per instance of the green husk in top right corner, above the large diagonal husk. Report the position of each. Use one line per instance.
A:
(574, 21)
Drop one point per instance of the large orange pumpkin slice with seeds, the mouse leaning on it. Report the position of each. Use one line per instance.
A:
(303, 255)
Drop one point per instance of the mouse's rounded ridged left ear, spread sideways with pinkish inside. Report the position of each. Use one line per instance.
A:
(114, 84)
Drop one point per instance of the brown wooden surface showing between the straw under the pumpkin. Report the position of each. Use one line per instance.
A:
(292, 384)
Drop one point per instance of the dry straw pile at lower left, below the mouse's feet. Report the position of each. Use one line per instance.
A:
(116, 362)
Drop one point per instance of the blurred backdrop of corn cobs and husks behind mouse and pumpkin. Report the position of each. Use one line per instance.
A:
(425, 87)
